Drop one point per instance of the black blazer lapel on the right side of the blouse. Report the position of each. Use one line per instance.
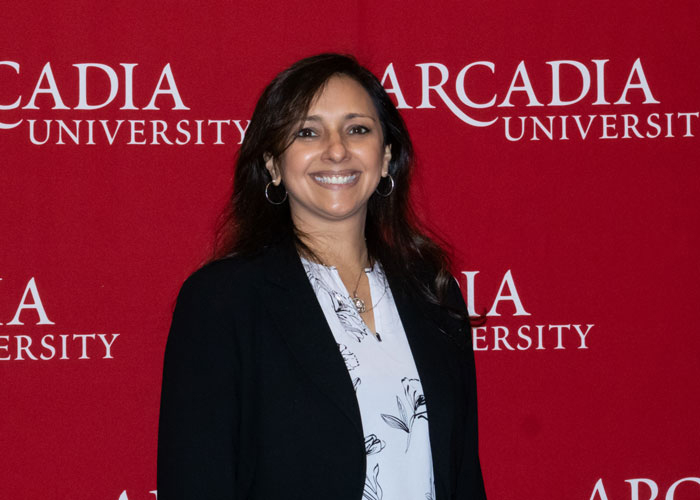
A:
(431, 364)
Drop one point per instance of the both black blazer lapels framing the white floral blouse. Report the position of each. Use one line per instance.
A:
(295, 309)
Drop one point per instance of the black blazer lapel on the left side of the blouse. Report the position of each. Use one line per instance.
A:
(293, 306)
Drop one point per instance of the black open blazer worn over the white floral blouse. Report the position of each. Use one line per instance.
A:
(257, 402)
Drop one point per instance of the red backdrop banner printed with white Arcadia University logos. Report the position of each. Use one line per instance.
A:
(558, 152)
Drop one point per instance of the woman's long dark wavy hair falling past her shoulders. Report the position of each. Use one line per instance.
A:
(394, 235)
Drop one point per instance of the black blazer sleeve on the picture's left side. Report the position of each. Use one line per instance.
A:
(198, 419)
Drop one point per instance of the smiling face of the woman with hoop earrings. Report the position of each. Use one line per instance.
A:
(336, 159)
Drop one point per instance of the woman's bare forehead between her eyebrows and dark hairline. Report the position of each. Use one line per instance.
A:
(341, 95)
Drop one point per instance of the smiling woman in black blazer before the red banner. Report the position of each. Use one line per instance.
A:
(325, 353)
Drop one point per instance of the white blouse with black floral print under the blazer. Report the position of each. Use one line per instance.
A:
(388, 390)
